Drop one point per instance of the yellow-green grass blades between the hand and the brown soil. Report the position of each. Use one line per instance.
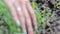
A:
(41, 18)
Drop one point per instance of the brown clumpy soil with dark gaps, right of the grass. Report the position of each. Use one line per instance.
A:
(53, 23)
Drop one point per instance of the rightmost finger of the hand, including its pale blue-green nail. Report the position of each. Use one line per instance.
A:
(28, 5)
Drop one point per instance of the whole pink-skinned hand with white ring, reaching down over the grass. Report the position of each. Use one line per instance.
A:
(23, 15)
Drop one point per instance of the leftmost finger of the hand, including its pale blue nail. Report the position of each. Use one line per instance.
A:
(13, 12)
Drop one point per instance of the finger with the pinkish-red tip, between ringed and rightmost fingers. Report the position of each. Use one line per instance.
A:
(27, 18)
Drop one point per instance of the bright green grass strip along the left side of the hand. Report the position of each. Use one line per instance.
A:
(8, 18)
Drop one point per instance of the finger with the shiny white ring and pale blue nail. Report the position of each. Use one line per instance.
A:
(21, 17)
